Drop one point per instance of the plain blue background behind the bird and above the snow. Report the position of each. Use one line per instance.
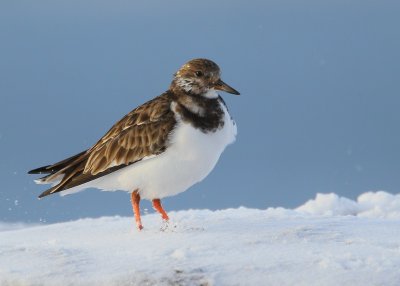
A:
(318, 111)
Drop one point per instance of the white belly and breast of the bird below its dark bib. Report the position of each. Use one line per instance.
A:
(190, 157)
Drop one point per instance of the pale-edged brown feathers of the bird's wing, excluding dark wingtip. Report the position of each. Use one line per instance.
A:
(142, 133)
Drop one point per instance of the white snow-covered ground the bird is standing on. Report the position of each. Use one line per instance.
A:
(330, 240)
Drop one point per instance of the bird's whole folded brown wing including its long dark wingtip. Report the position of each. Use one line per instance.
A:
(141, 133)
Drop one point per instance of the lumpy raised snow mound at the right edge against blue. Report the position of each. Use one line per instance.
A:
(371, 204)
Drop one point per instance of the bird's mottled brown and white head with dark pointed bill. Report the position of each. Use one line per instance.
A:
(200, 77)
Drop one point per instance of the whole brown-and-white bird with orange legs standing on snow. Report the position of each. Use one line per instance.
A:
(159, 149)
